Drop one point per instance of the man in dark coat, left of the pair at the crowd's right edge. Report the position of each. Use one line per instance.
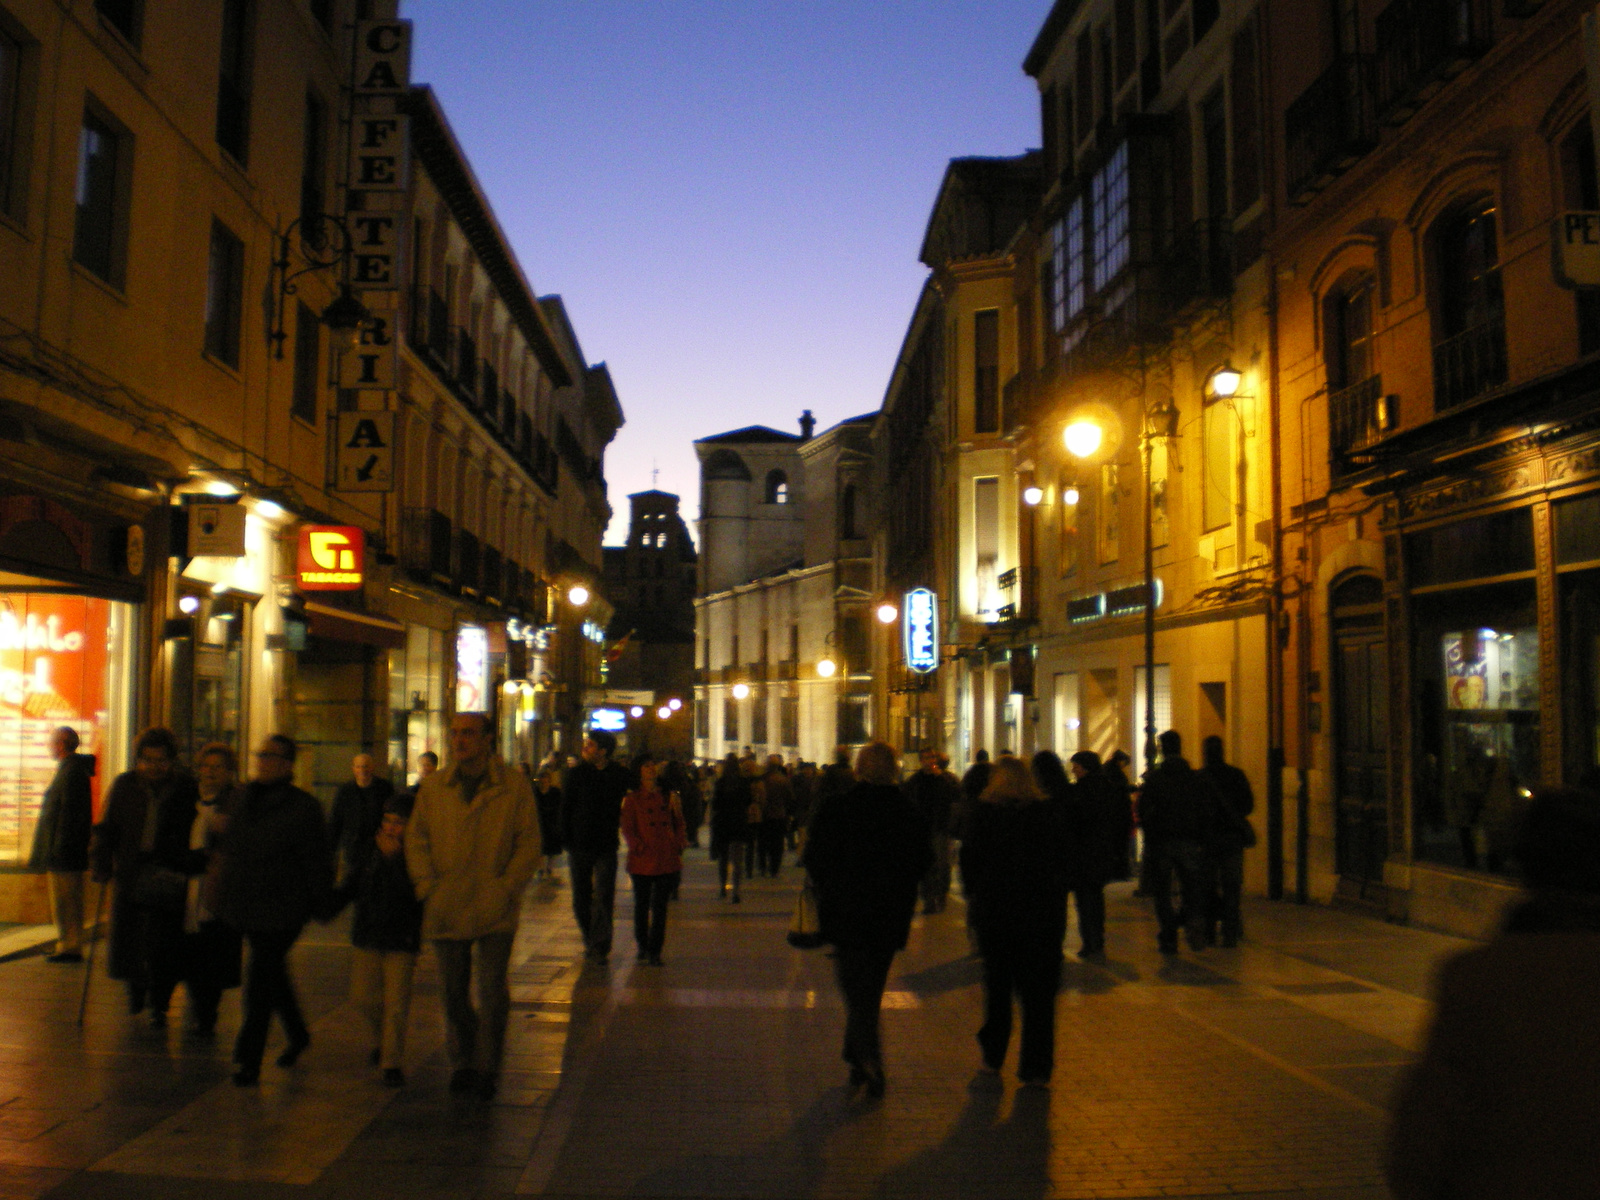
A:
(1177, 812)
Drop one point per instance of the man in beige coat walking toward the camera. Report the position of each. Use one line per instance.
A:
(471, 850)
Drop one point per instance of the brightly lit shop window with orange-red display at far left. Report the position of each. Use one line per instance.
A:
(63, 662)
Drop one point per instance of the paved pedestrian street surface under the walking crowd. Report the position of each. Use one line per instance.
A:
(1260, 1073)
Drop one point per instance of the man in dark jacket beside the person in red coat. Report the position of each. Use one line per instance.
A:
(591, 818)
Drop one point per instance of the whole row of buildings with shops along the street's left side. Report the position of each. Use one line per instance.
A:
(287, 439)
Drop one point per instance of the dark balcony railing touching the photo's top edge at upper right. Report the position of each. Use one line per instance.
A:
(1420, 46)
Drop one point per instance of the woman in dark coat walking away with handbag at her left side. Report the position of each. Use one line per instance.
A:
(866, 854)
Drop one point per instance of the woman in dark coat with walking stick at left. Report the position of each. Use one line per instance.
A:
(142, 846)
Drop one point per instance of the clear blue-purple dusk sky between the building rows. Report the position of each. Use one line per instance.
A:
(729, 194)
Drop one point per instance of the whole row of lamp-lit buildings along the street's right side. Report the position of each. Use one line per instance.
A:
(1257, 402)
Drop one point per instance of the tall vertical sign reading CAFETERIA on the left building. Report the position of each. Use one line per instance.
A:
(380, 175)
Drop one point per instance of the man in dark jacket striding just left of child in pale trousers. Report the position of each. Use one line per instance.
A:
(278, 874)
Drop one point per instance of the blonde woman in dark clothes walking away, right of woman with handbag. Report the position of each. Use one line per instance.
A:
(1014, 862)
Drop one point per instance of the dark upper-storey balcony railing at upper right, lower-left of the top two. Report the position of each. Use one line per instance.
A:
(1329, 127)
